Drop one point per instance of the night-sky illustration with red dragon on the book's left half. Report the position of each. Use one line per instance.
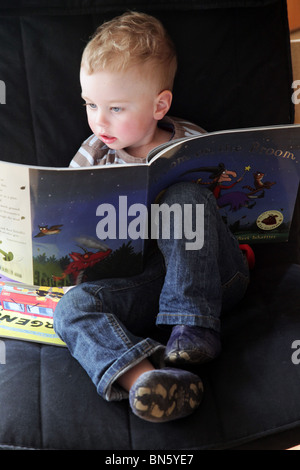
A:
(80, 223)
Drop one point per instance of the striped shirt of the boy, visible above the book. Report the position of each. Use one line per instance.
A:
(94, 152)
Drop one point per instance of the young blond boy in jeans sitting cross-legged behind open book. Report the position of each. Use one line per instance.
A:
(127, 75)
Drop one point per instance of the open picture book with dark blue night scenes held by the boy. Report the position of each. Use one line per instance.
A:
(63, 226)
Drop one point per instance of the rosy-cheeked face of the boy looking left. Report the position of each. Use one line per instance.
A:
(122, 108)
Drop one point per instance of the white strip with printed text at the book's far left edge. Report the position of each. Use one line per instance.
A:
(15, 223)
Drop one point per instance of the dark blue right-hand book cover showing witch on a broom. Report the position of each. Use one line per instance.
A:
(253, 174)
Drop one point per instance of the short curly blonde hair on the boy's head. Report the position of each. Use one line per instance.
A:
(129, 40)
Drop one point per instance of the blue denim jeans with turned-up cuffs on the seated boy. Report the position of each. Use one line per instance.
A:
(111, 325)
